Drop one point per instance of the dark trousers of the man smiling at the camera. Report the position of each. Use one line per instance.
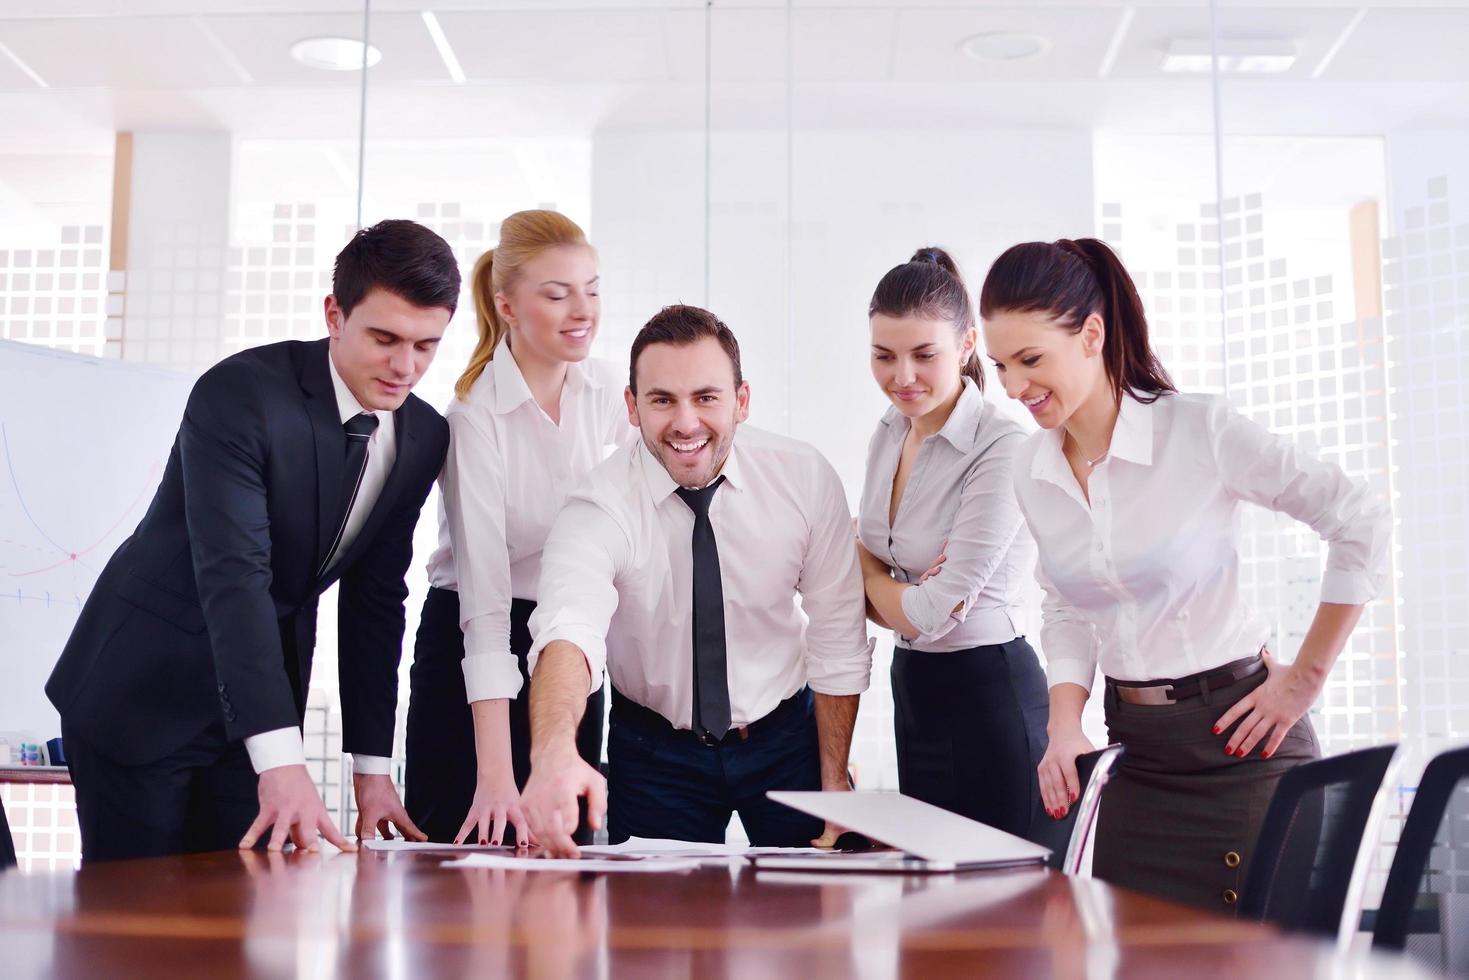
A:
(665, 784)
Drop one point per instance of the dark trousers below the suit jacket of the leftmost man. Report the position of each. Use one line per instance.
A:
(199, 799)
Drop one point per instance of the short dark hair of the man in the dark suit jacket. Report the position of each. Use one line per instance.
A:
(403, 258)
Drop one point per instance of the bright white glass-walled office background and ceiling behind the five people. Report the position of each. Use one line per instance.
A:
(174, 186)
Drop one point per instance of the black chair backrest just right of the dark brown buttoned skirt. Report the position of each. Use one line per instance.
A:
(1308, 851)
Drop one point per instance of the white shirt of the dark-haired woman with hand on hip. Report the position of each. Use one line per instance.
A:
(1145, 581)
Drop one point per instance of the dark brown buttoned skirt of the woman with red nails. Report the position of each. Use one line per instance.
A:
(1180, 818)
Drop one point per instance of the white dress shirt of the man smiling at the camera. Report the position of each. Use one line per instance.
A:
(618, 580)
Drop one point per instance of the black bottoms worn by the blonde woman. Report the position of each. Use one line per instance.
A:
(440, 769)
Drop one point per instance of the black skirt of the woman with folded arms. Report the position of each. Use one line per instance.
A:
(972, 729)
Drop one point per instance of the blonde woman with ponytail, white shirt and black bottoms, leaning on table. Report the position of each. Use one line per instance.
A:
(531, 418)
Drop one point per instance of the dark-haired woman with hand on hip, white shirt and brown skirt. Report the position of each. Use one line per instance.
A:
(1133, 494)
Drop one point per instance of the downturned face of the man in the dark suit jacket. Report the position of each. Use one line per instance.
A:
(383, 349)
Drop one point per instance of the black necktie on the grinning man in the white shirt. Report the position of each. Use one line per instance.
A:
(712, 691)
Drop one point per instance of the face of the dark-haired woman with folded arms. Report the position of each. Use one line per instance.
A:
(916, 362)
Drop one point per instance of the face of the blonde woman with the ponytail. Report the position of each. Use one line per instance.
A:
(553, 306)
